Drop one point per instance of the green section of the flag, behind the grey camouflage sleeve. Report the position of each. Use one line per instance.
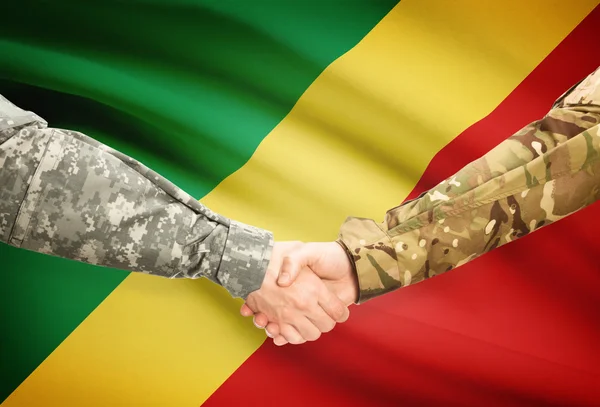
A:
(188, 87)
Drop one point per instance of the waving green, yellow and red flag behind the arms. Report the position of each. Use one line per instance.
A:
(291, 116)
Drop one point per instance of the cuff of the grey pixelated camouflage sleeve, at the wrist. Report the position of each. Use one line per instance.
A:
(245, 259)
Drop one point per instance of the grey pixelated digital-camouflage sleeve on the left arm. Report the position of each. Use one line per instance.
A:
(65, 194)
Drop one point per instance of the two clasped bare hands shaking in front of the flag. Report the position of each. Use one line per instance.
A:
(306, 290)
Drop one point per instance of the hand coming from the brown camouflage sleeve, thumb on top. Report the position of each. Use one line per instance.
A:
(328, 260)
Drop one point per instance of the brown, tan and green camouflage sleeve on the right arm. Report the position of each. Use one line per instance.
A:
(541, 174)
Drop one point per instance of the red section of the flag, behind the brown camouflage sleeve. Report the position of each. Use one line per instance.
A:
(518, 326)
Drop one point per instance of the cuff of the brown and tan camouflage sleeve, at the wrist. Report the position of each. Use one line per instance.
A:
(374, 257)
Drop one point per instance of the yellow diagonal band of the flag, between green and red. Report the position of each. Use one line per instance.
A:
(355, 144)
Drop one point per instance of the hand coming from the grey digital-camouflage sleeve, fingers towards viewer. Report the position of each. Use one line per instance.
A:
(302, 311)
